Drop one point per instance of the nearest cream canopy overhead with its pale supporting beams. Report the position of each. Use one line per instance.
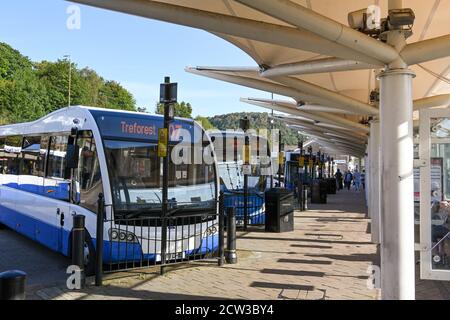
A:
(305, 50)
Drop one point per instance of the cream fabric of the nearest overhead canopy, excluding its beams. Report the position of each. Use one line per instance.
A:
(431, 22)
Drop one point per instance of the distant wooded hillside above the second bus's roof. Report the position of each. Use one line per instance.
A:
(258, 120)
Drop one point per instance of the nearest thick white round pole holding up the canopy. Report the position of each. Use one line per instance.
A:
(397, 249)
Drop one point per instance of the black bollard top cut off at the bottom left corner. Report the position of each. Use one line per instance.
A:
(12, 285)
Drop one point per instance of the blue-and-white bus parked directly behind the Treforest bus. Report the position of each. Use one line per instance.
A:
(229, 146)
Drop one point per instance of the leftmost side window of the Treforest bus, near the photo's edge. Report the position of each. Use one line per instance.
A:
(12, 148)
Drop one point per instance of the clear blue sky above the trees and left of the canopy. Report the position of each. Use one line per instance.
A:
(136, 52)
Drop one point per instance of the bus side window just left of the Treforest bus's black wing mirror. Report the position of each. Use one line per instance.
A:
(55, 186)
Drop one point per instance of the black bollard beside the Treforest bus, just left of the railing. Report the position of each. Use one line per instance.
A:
(78, 236)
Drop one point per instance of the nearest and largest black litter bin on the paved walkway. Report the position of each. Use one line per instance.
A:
(279, 210)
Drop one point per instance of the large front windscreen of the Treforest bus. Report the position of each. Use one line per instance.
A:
(136, 179)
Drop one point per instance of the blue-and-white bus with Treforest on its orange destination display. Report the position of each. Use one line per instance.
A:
(56, 167)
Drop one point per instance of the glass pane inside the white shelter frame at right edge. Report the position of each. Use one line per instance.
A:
(440, 192)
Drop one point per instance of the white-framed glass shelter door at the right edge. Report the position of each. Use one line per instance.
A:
(434, 152)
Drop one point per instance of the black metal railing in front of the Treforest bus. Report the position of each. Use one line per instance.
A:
(137, 242)
